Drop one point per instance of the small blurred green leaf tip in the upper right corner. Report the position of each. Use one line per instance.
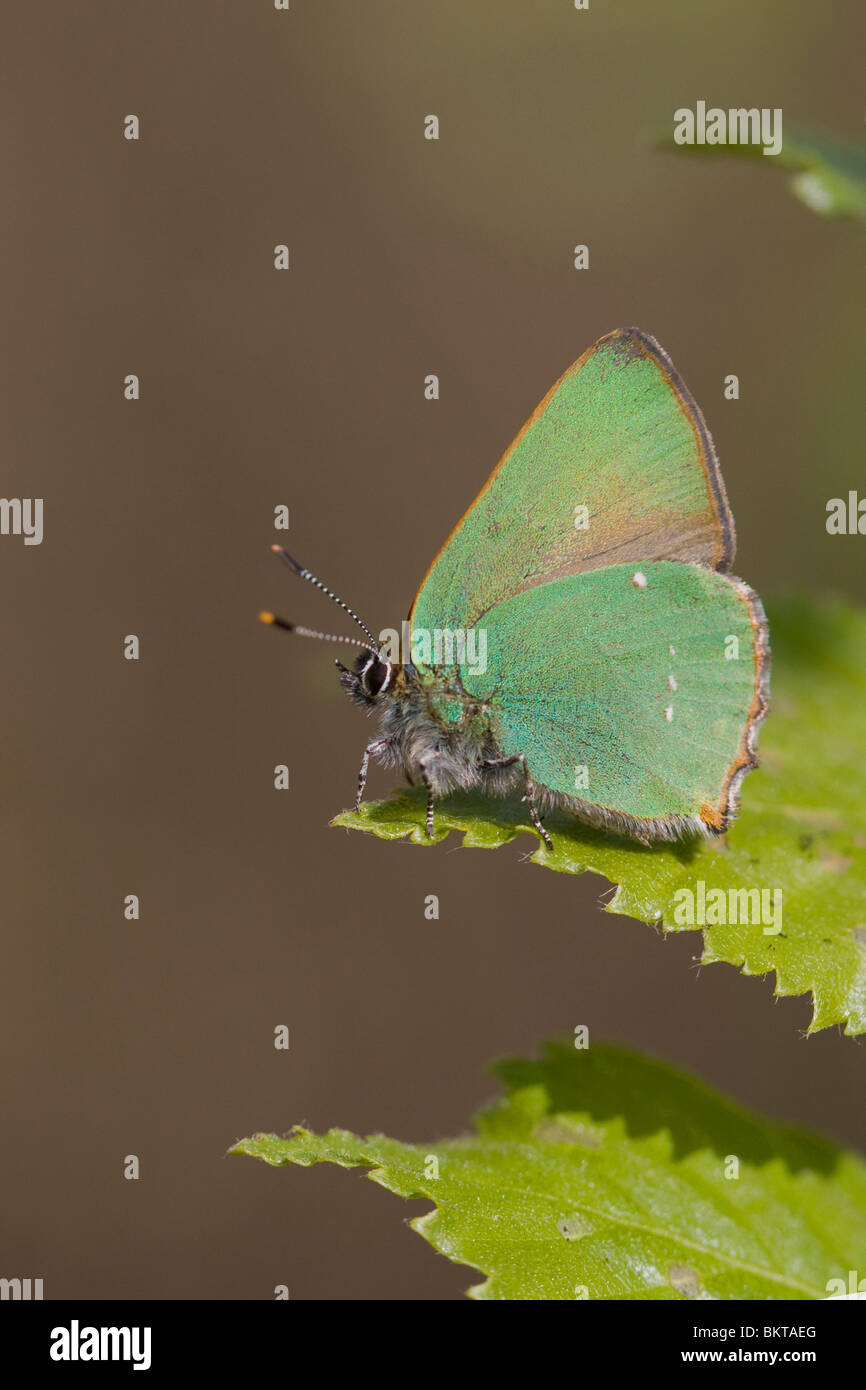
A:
(829, 173)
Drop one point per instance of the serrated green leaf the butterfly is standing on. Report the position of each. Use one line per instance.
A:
(803, 829)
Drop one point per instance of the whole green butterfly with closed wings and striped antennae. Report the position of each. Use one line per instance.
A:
(580, 637)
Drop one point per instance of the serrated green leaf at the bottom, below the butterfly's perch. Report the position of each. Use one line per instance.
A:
(605, 1175)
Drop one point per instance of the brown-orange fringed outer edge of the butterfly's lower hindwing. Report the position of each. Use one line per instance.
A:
(711, 819)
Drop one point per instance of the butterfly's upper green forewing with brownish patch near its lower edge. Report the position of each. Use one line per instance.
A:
(621, 437)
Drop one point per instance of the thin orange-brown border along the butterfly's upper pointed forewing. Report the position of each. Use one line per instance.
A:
(692, 411)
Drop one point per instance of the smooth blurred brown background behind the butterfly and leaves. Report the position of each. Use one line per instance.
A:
(307, 389)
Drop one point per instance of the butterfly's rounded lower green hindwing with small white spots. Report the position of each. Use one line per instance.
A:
(637, 693)
